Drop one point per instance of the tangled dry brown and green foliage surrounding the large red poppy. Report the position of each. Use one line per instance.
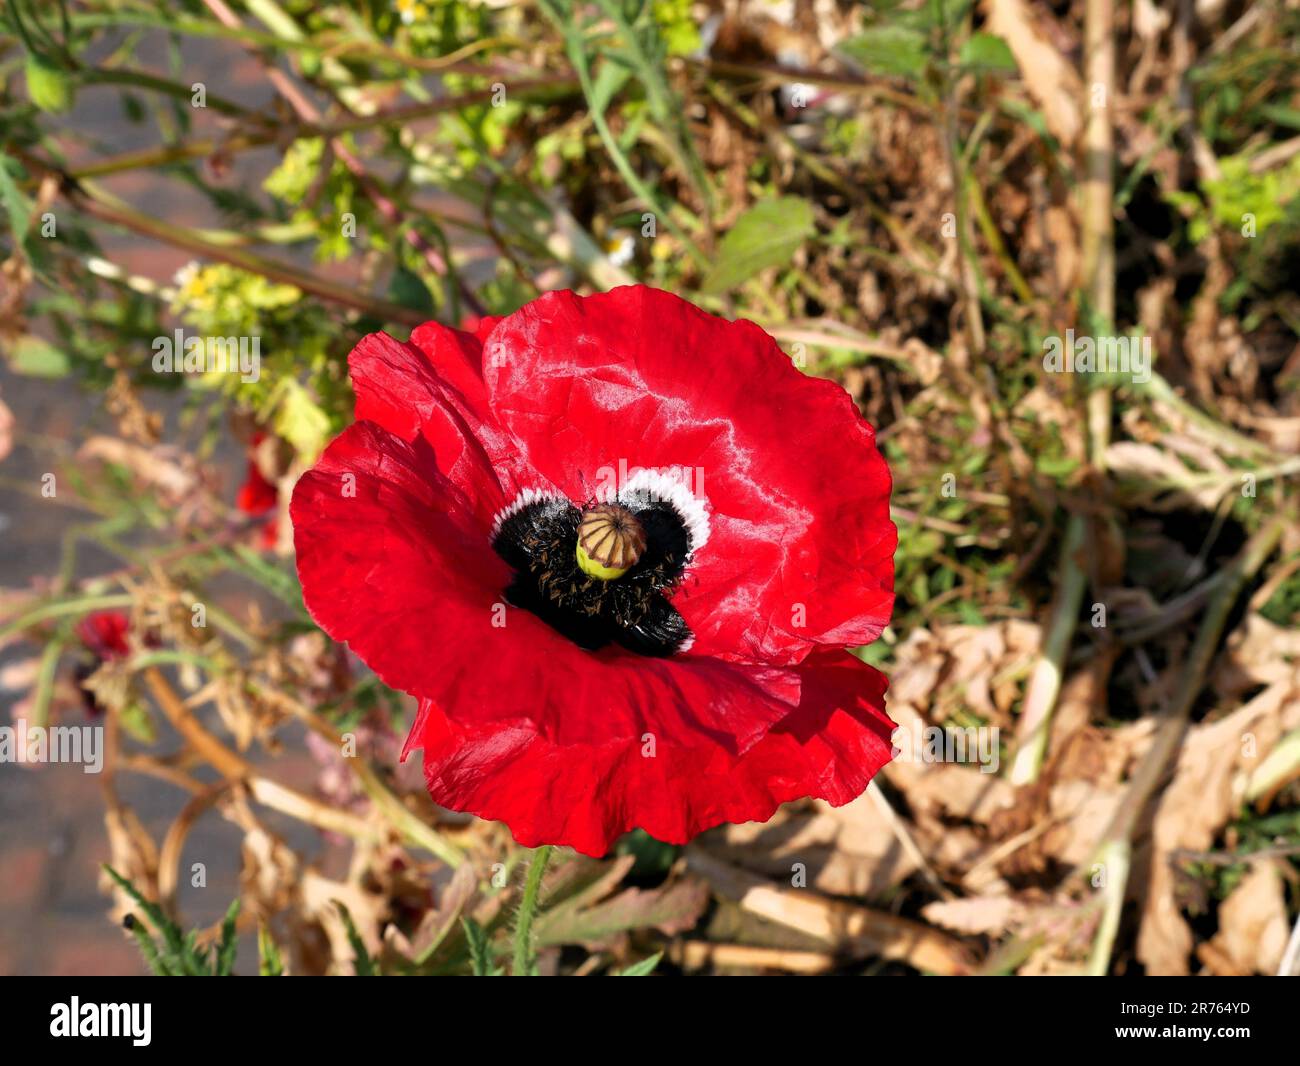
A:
(912, 198)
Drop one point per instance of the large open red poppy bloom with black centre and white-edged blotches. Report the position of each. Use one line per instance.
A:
(687, 666)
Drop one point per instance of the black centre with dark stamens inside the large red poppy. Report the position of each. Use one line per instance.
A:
(540, 543)
